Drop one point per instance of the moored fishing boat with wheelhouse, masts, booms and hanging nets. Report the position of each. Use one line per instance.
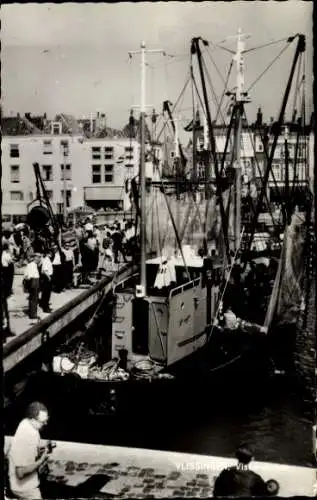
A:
(176, 320)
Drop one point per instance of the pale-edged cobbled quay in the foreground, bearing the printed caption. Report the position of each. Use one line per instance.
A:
(120, 472)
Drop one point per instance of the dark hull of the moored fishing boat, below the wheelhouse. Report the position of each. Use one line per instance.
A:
(229, 359)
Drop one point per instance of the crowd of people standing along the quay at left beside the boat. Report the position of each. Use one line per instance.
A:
(50, 263)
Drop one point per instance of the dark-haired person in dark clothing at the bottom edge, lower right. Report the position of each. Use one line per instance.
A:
(239, 481)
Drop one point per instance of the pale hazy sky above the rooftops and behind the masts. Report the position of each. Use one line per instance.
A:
(73, 58)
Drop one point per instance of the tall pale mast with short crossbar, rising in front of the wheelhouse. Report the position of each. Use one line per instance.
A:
(143, 51)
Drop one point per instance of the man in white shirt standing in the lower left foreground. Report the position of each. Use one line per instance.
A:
(24, 455)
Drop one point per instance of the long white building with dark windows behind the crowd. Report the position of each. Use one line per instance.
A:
(96, 170)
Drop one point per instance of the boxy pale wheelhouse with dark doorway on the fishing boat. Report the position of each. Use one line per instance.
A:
(169, 323)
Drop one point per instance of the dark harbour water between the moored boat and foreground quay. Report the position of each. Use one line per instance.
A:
(269, 418)
